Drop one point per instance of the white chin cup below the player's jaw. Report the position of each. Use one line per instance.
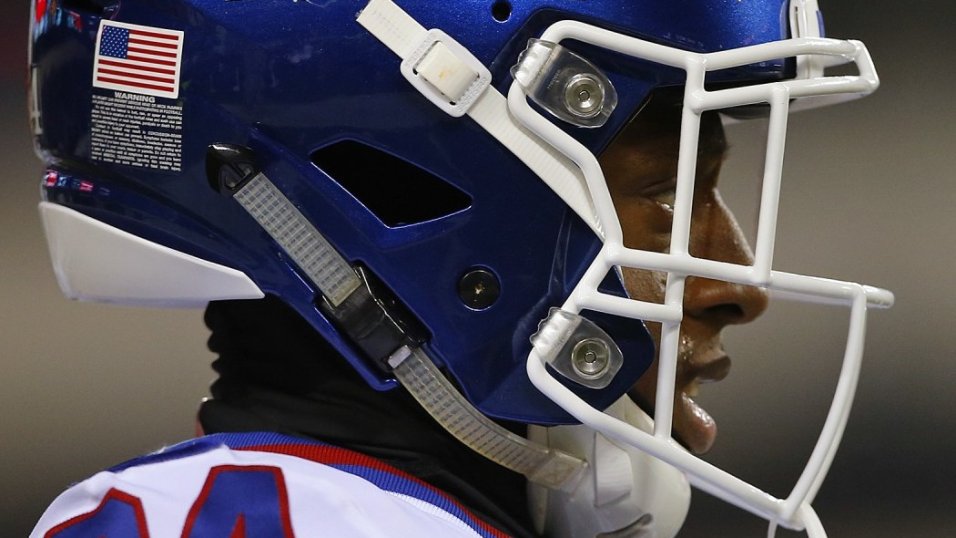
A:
(622, 485)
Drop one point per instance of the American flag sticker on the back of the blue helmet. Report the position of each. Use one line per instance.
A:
(139, 59)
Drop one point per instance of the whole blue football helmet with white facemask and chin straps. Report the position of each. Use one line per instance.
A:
(419, 180)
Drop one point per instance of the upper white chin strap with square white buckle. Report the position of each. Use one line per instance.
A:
(408, 39)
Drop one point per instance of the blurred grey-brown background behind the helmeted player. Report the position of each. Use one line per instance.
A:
(869, 196)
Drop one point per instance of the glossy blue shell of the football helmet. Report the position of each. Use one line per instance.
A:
(313, 95)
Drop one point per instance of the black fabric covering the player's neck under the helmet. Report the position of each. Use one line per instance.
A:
(277, 374)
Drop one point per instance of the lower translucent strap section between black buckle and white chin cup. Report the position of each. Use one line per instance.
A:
(542, 465)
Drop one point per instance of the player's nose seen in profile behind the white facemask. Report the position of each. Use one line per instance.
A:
(715, 235)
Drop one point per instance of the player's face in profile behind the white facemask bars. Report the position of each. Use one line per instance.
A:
(640, 168)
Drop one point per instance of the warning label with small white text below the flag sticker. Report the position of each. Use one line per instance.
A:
(137, 130)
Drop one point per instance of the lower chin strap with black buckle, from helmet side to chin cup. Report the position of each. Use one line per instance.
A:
(349, 297)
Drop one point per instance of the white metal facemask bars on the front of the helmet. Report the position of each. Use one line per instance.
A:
(794, 511)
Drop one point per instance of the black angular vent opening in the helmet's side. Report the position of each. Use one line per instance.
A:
(396, 191)
